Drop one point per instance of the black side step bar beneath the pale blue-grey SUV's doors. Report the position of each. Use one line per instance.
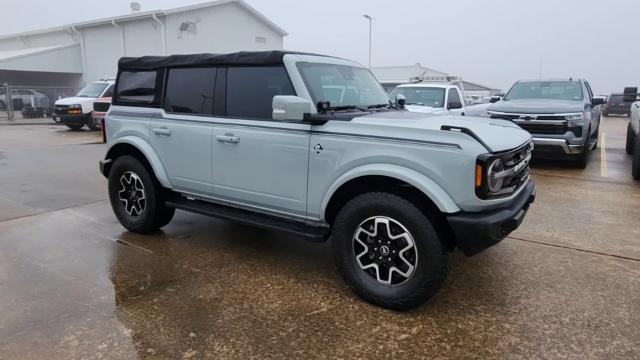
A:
(317, 232)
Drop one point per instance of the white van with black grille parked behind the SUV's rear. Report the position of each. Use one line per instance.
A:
(75, 112)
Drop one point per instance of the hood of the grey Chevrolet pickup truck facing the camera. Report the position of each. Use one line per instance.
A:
(537, 106)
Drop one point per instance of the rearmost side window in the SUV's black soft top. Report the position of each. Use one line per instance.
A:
(138, 87)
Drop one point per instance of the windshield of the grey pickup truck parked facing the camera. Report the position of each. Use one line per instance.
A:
(550, 90)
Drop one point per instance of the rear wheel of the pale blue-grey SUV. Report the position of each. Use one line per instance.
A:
(136, 197)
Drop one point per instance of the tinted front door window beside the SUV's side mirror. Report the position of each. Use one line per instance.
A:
(250, 90)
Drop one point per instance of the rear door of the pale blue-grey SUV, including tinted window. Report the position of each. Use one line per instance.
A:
(181, 132)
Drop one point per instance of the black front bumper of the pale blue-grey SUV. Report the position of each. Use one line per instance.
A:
(477, 231)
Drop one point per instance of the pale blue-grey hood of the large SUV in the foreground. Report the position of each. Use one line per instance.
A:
(499, 135)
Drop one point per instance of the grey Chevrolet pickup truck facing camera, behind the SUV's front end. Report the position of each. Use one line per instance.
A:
(562, 115)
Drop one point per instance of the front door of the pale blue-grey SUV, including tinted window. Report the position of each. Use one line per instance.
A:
(258, 162)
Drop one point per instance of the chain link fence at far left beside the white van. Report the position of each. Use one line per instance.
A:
(29, 102)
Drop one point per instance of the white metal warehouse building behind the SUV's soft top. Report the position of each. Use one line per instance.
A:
(75, 54)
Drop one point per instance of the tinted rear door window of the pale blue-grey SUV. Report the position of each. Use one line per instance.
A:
(190, 90)
